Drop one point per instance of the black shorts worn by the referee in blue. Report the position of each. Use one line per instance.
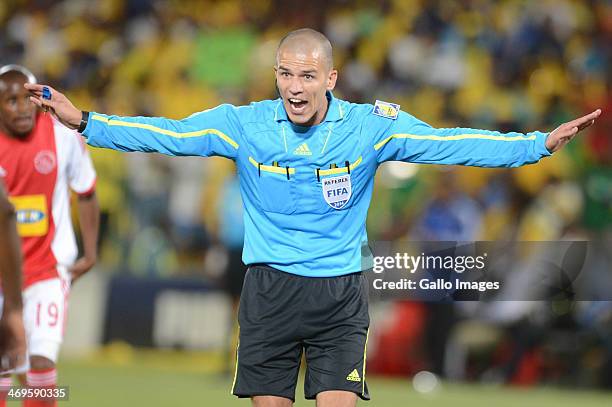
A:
(283, 316)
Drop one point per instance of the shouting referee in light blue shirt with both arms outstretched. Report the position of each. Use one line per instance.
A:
(306, 163)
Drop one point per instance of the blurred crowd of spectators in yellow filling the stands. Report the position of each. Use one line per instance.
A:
(503, 65)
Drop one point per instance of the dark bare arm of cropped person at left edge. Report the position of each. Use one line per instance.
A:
(12, 335)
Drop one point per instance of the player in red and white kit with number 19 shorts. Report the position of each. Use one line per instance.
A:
(40, 161)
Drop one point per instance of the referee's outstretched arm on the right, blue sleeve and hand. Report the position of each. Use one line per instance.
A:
(406, 138)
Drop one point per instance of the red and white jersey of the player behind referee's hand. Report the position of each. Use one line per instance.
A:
(38, 172)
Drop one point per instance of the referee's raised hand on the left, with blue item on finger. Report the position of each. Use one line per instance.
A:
(55, 102)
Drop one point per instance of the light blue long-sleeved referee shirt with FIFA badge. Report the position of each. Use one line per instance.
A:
(306, 190)
